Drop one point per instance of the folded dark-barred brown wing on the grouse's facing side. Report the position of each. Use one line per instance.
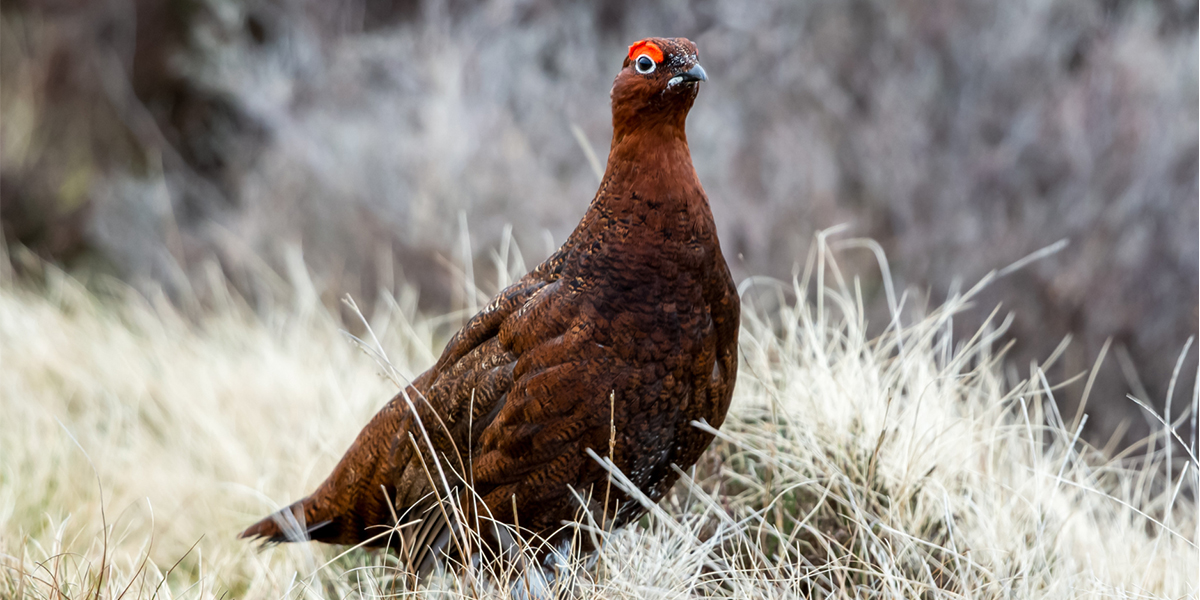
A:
(557, 406)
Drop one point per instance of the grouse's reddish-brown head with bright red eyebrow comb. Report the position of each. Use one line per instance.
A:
(657, 86)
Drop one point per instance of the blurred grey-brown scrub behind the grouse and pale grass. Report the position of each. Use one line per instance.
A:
(167, 142)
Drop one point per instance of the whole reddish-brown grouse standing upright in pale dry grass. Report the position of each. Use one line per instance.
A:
(609, 356)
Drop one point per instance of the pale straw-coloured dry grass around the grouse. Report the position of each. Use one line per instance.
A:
(137, 443)
